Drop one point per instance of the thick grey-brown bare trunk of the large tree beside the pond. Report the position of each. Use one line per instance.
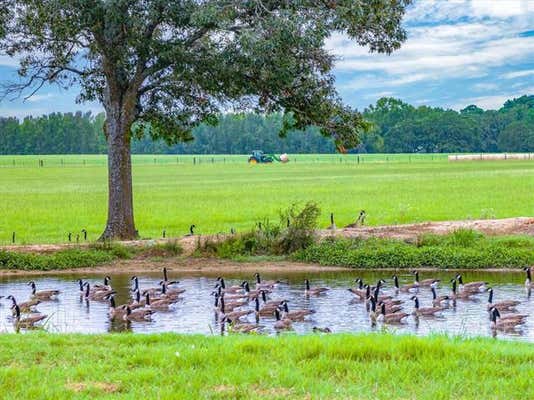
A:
(120, 224)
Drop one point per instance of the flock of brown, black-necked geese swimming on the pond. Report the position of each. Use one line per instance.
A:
(247, 307)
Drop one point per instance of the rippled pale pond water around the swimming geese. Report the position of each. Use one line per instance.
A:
(337, 309)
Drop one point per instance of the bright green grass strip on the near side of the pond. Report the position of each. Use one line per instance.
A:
(169, 366)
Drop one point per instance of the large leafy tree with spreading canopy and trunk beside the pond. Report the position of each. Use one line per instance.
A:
(161, 67)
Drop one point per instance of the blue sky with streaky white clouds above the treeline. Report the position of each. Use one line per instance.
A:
(458, 52)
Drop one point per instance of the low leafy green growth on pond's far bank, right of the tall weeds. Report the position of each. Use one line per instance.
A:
(465, 249)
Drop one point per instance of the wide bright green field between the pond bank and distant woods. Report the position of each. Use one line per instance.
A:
(170, 192)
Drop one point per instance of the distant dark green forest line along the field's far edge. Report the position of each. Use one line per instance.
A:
(397, 127)
